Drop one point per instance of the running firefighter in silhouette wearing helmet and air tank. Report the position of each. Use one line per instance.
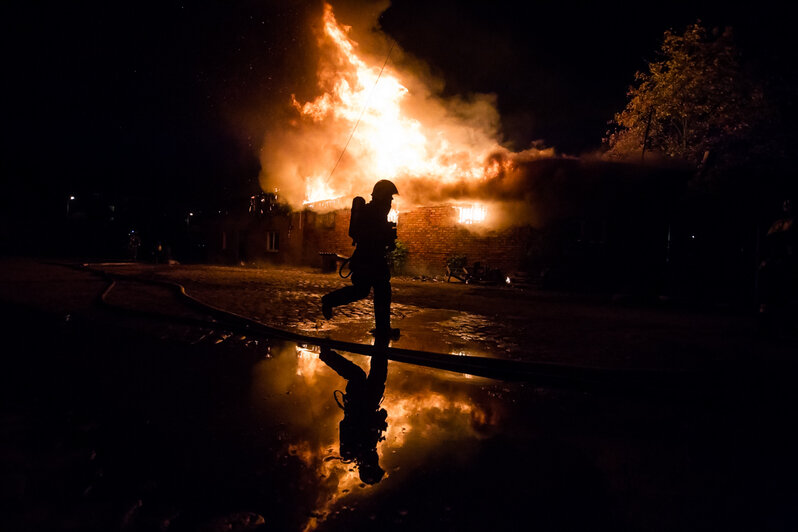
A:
(374, 236)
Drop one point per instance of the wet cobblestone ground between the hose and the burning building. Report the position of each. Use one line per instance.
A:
(501, 322)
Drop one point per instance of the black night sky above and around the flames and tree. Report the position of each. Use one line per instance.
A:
(168, 99)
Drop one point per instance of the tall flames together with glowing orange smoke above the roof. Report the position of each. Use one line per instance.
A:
(367, 124)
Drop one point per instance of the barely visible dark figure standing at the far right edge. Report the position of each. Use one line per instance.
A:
(778, 270)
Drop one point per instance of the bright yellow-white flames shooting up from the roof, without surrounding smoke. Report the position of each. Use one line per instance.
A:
(387, 131)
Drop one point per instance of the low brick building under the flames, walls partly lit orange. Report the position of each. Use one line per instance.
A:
(573, 223)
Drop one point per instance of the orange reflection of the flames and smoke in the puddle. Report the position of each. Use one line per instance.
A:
(295, 392)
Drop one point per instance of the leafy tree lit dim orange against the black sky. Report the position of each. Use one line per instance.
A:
(697, 103)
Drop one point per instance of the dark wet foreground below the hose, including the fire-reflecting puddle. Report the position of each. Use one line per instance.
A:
(113, 421)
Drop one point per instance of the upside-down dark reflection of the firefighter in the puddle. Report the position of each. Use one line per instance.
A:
(364, 421)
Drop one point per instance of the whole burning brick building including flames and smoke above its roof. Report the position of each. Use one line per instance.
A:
(372, 116)
